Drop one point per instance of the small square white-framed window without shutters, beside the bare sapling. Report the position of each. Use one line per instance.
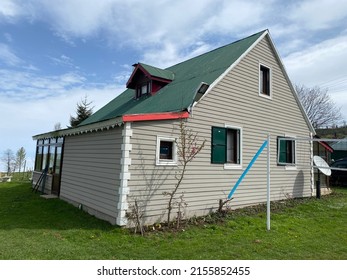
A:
(166, 152)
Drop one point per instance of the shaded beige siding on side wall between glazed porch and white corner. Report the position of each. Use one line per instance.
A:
(91, 170)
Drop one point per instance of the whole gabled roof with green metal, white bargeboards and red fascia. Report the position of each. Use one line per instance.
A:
(174, 99)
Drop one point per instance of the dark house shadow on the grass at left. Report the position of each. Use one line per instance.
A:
(22, 208)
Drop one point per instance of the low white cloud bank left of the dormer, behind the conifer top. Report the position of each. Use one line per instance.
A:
(26, 115)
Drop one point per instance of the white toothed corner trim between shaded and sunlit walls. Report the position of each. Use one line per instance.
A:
(124, 176)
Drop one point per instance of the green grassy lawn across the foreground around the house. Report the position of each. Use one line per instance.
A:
(35, 228)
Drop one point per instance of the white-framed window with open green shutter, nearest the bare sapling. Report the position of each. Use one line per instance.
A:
(226, 145)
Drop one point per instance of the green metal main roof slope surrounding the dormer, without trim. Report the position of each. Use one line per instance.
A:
(178, 95)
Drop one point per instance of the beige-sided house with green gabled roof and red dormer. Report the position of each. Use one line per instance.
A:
(233, 97)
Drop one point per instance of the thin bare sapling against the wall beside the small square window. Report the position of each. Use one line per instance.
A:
(187, 149)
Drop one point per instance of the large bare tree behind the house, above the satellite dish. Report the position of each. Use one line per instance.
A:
(320, 108)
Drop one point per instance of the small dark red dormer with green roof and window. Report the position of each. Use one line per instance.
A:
(147, 79)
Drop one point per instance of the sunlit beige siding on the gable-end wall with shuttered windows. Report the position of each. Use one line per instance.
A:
(233, 101)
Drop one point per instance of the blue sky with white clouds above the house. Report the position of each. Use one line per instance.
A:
(54, 53)
